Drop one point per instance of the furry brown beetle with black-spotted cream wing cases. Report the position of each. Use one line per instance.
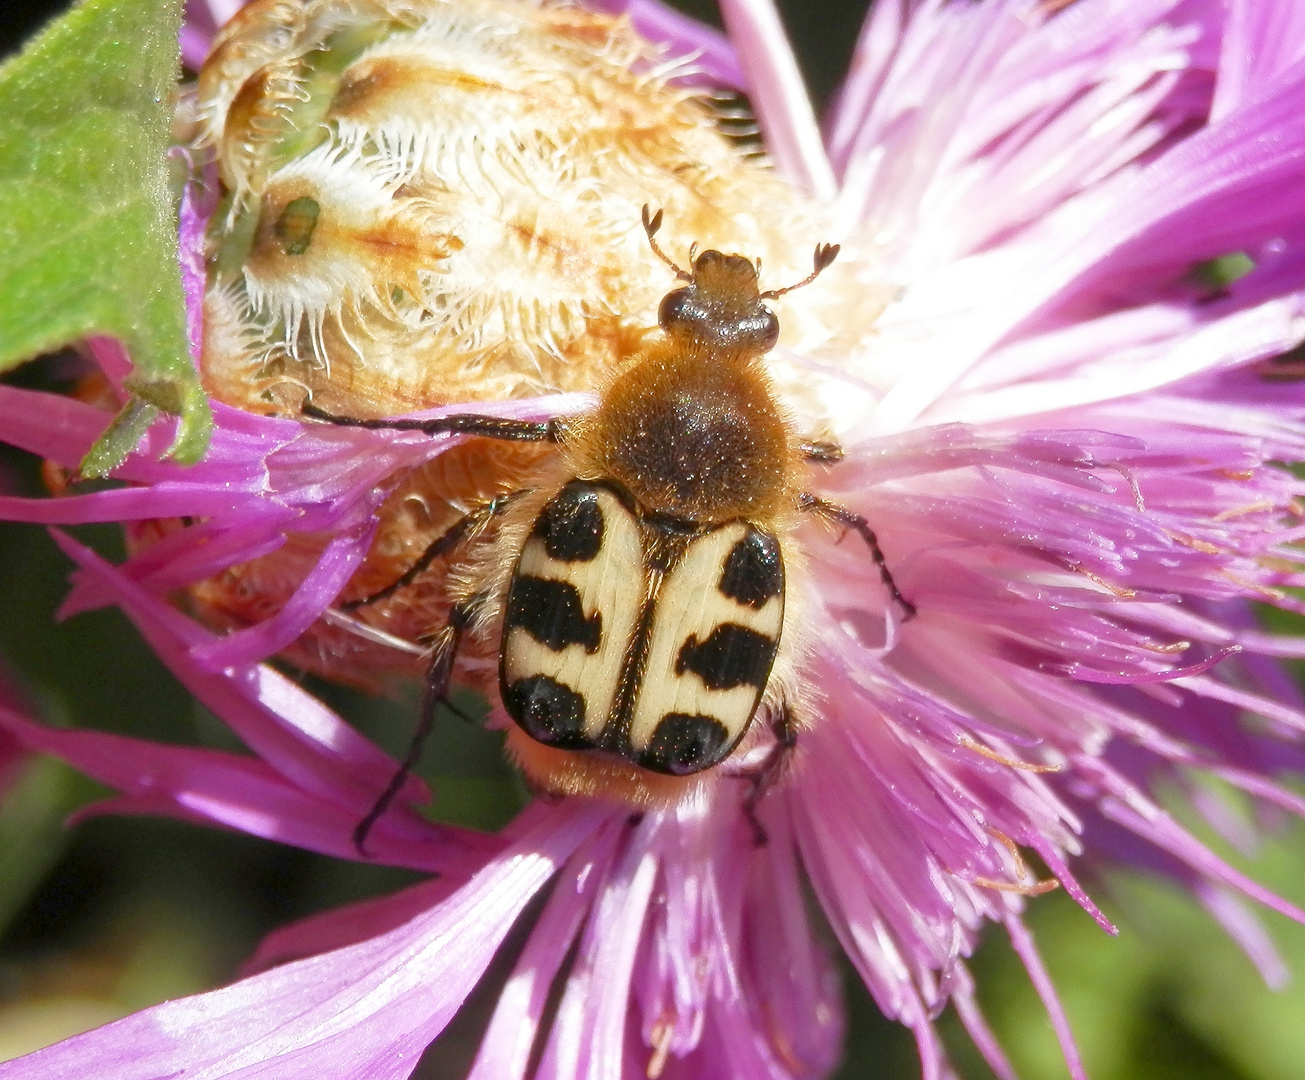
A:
(639, 588)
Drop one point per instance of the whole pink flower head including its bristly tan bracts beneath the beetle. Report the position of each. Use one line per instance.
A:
(1056, 352)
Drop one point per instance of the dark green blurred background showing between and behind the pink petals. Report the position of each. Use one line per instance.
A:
(119, 914)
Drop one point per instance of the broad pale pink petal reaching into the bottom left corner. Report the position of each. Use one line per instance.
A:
(365, 1012)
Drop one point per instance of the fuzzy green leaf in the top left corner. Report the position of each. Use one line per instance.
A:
(88, 221)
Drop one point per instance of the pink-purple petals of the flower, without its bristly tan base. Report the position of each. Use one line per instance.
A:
(1066, 428)
